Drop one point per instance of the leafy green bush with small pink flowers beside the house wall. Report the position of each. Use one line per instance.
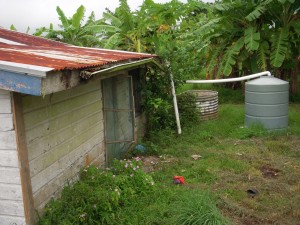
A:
(99, 194)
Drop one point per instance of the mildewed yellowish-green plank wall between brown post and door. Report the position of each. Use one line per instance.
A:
(64, 132)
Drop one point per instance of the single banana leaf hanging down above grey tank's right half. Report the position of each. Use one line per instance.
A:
(279, 47)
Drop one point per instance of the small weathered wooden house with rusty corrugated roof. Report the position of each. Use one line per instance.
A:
(62, 107)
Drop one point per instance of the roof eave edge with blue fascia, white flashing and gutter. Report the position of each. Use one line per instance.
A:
(40, 81)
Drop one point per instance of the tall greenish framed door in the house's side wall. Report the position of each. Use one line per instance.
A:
(118, 115)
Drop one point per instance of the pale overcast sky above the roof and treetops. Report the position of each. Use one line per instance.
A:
(38, 13)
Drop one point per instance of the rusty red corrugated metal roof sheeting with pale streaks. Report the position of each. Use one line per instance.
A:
(26, 49)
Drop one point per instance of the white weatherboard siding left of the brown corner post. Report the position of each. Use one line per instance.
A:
(11, 202)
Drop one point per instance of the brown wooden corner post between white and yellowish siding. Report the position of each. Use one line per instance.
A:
(23, 159)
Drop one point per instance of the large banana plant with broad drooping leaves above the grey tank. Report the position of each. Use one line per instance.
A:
(270, 30)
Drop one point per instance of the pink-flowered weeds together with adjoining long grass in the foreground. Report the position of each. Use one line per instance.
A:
(125, 194)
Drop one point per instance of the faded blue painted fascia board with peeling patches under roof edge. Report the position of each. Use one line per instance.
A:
(22, 83)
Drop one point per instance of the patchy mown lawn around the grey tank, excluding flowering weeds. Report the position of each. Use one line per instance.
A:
(236, 159)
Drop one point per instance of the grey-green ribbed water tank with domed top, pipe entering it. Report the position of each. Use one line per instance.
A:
(266, 102)
